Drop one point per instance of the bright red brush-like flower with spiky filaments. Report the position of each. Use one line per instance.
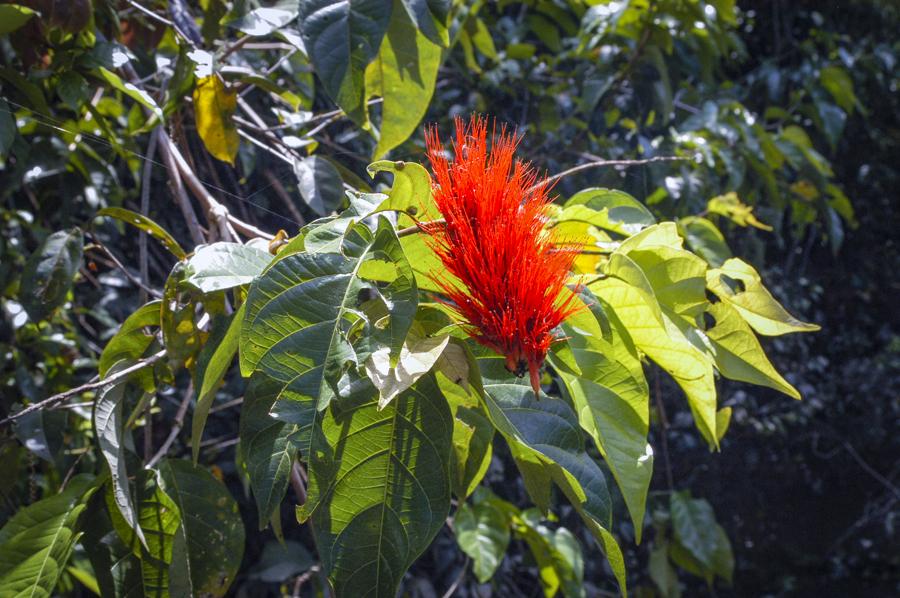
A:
(507, 271)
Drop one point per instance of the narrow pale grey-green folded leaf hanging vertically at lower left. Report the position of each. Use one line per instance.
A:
(109, 429)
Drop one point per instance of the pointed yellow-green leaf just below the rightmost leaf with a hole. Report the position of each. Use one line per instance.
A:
(738, 353)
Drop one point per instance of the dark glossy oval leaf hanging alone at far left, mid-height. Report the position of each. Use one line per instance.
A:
(48, 273)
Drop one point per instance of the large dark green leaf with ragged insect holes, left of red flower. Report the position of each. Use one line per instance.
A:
(305, 310)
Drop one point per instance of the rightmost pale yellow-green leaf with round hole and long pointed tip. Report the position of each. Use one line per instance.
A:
(738, 284)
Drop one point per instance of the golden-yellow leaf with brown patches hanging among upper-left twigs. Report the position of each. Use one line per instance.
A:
(214, 105)
